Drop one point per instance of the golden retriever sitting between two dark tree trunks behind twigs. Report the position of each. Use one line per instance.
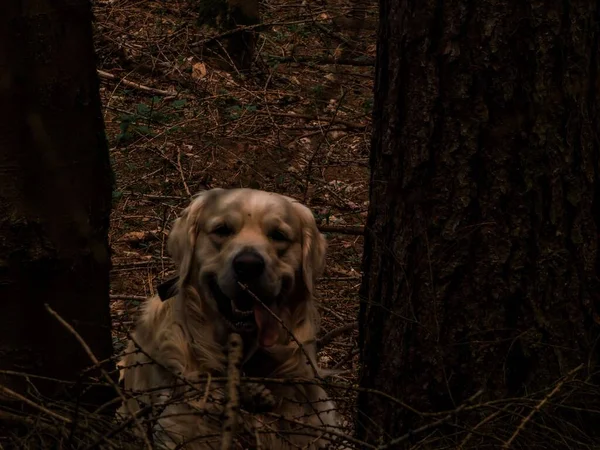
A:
(247, 264)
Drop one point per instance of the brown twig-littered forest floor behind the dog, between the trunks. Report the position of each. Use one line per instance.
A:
(179, 120)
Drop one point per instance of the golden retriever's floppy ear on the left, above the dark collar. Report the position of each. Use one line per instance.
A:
(182, 238)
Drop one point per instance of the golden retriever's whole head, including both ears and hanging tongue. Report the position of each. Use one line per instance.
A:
(227, 240)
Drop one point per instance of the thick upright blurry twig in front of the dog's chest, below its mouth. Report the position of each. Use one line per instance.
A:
(233, 391)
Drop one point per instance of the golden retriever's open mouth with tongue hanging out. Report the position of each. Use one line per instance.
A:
(246, 315)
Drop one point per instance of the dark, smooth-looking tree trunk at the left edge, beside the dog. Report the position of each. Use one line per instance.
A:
(55, 192)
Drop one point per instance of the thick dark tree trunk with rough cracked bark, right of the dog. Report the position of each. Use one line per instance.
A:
(481, 252)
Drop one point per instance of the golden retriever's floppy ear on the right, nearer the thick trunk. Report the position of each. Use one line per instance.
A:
(314, 246)
